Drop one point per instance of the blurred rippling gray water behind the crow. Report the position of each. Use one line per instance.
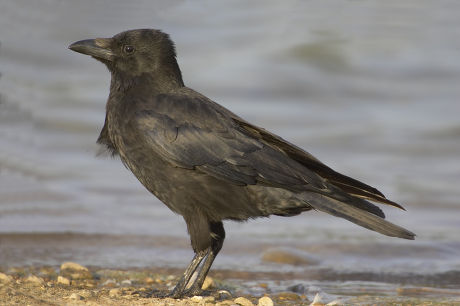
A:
(369, 87)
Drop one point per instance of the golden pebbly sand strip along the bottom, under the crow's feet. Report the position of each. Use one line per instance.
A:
(73, 284)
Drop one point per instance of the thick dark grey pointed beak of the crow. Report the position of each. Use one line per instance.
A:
(98, 48)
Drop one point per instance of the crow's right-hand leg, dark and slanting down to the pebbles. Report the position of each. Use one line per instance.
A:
(217, 240)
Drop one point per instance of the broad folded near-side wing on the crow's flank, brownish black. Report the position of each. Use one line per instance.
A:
(195, 133)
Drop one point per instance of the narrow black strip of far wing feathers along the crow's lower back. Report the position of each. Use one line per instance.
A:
(347, 184)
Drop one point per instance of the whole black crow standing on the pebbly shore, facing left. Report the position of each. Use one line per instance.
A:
(206, 163)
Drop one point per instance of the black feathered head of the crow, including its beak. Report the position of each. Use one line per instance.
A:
(133, 52)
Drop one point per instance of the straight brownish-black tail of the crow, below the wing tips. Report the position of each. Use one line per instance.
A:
(355, 215)
